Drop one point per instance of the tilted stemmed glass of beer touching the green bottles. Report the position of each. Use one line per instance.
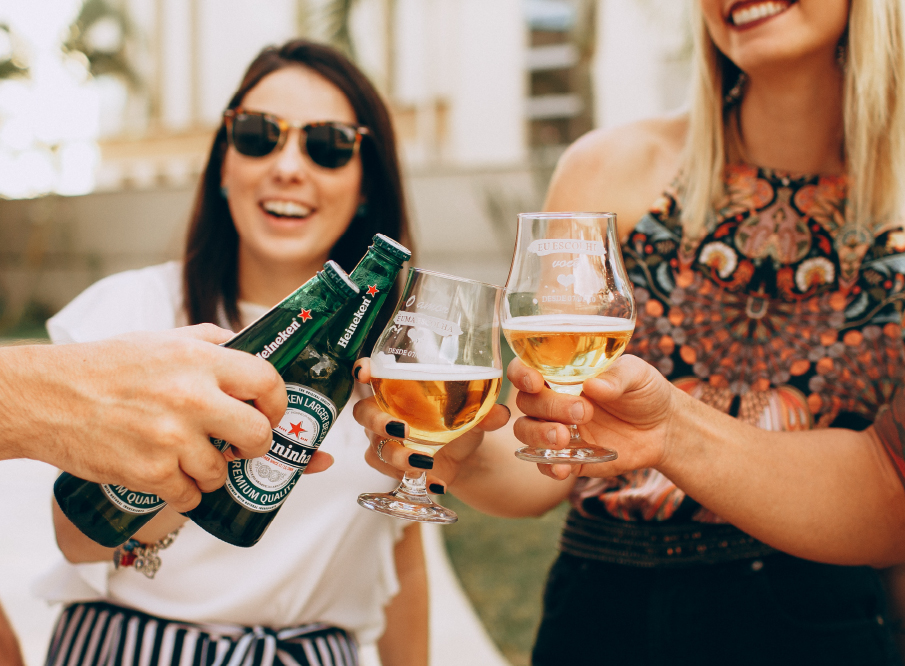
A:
(437, 367)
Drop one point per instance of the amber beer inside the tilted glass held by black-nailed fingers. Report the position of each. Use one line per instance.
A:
(438, 402)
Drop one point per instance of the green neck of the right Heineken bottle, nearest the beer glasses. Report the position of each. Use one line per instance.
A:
(349, 327)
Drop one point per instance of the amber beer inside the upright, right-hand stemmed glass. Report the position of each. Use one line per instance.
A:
(568, 349)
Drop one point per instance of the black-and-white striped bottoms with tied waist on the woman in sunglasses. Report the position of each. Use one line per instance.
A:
(103, 634)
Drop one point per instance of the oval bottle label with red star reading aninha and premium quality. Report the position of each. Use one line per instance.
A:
(262, 484)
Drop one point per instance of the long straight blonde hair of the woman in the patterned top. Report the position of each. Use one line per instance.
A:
(873, 111)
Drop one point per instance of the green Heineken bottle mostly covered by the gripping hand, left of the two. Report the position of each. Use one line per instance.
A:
(111, 514)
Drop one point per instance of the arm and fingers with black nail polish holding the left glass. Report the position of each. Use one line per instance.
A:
(479, 467)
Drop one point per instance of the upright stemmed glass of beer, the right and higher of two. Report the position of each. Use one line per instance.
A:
(568, 309)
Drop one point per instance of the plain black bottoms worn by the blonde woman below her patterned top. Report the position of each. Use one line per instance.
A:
(776, 609)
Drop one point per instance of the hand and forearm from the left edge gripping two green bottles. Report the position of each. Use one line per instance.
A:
(138, 410)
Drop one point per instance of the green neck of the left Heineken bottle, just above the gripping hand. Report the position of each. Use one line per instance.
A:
(283, 332)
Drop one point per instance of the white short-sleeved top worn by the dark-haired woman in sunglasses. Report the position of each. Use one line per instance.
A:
(323, 559)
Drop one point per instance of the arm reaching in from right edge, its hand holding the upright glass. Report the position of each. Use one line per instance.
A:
(831, 495)
